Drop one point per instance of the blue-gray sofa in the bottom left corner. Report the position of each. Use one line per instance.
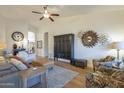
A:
(9, 76)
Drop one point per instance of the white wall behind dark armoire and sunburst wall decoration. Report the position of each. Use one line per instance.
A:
(111, 23)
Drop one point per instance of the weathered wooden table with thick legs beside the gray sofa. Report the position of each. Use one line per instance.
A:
(32, 73)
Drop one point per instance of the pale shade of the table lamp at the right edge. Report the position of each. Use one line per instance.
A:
(117, 45)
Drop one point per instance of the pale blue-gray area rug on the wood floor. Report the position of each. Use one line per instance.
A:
(58, 77)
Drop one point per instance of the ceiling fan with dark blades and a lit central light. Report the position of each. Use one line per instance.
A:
(46, 14)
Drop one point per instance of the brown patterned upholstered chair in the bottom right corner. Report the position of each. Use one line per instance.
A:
(105, 77)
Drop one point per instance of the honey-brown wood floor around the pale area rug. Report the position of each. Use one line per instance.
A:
(78, 81)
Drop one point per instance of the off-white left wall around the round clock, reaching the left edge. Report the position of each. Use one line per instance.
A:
(8, 26)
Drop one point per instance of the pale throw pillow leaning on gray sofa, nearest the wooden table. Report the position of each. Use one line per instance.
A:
(18, 64)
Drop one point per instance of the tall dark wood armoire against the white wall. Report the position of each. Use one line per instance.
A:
(64, 47)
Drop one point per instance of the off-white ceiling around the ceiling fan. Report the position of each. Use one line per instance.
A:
(24, 11)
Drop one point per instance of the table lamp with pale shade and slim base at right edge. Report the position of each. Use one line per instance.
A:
(118, 46)
